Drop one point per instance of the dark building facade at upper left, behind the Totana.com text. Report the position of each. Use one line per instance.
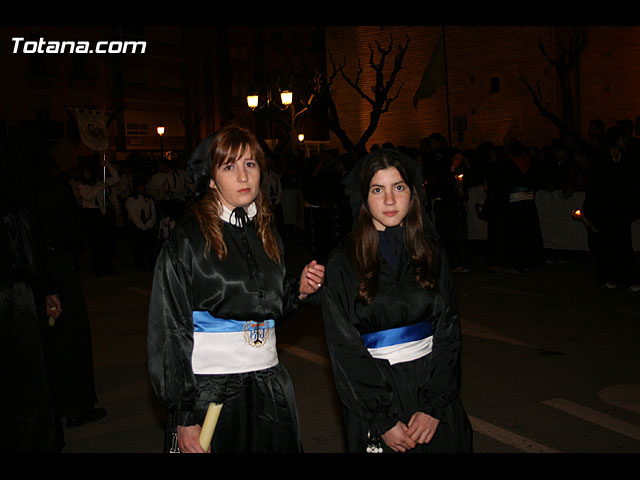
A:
(190, 80)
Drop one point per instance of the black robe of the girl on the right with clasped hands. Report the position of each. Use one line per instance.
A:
(374, 393)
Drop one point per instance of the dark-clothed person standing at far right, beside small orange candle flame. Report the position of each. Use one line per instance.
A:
(609, 208)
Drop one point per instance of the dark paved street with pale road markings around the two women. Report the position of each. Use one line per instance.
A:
(550, 364)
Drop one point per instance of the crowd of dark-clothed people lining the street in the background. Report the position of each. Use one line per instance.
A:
(145, 197)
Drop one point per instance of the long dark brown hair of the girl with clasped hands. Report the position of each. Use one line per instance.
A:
(419, 246)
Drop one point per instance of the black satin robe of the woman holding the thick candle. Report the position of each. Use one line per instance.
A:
(259, 412)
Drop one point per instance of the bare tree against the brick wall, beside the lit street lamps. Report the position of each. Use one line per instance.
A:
(319, 86)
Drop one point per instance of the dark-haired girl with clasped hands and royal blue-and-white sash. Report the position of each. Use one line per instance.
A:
(391, 318)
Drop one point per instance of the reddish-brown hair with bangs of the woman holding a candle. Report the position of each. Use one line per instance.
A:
(228, 145)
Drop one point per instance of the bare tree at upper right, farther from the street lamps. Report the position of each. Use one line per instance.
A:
(566, 66)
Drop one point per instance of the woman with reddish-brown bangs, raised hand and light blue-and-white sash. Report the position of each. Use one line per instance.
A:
(220, 288)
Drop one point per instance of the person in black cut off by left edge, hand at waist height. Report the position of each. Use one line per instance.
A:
(27, 416)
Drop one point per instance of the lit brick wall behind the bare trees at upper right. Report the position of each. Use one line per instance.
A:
(475, 55)
